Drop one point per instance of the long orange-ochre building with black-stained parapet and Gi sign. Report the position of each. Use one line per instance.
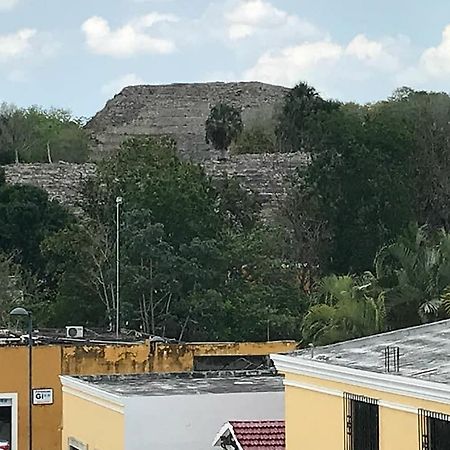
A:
(51, 361)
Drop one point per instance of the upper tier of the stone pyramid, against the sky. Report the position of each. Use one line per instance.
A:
(179, 111)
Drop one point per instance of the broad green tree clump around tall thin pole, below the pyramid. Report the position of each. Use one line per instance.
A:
(191, 254)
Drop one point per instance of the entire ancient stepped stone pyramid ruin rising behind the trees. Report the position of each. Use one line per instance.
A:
(180, 111)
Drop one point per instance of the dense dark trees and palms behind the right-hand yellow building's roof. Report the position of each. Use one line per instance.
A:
(375, 171)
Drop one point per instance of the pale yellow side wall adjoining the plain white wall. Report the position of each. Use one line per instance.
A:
(98, 427)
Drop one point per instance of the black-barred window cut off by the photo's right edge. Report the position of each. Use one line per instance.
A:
(434, 430)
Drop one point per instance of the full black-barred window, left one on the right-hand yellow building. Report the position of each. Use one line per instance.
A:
(361, 423)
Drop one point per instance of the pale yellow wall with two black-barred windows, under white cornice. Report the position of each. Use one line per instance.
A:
(315, 421)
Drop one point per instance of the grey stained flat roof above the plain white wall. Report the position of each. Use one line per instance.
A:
(152, 384)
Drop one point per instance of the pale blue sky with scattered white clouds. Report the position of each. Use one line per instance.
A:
(76, 54)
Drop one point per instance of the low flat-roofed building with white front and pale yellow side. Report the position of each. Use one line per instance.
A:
(165, 411)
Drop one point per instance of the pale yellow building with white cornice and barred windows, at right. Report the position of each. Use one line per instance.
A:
(385, 392)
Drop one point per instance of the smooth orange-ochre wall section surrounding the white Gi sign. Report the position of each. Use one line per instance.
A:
(14, 379)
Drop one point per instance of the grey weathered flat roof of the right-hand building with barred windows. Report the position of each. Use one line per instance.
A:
(424, 352)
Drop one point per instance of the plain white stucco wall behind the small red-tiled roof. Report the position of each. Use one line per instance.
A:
(190, 422)
